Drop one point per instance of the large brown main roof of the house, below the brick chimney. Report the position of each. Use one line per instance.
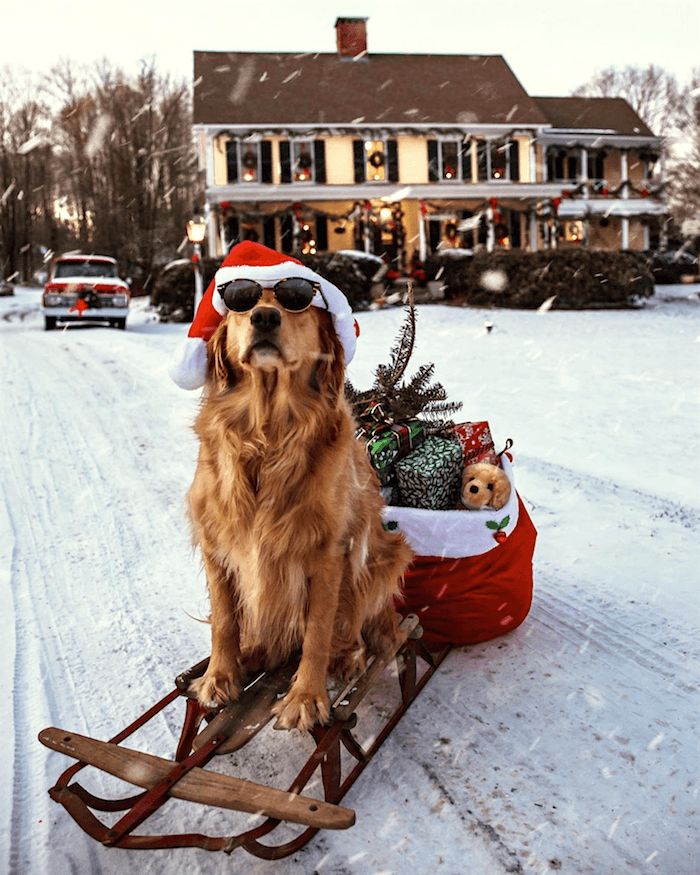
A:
(312, 88)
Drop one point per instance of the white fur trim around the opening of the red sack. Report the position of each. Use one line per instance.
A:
(454, 534)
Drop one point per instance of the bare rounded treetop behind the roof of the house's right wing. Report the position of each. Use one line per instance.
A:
(652, 92)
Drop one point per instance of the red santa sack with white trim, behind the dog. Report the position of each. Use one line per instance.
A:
(471, 579)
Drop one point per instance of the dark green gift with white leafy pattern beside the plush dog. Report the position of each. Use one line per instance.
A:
(431, 476)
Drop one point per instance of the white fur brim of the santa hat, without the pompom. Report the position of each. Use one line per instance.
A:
(338, 305)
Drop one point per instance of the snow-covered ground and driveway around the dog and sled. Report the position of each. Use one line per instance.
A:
(570, 745)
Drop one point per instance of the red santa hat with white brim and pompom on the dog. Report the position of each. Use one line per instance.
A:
(253, 261)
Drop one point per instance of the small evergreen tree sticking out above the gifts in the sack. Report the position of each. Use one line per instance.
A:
(403, 400)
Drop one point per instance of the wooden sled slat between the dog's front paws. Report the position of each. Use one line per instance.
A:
(244, 719)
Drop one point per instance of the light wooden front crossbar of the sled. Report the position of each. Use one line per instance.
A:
(198, 785)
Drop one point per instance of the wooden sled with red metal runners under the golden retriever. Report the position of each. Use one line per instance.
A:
(225, 731)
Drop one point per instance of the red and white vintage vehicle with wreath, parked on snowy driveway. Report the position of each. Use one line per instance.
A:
(85, 288)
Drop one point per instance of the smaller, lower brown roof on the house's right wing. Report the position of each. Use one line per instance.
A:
(593, 113)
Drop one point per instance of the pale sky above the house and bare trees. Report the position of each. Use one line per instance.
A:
(552, 46)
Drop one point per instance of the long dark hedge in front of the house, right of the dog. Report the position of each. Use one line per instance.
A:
(576, 279)
